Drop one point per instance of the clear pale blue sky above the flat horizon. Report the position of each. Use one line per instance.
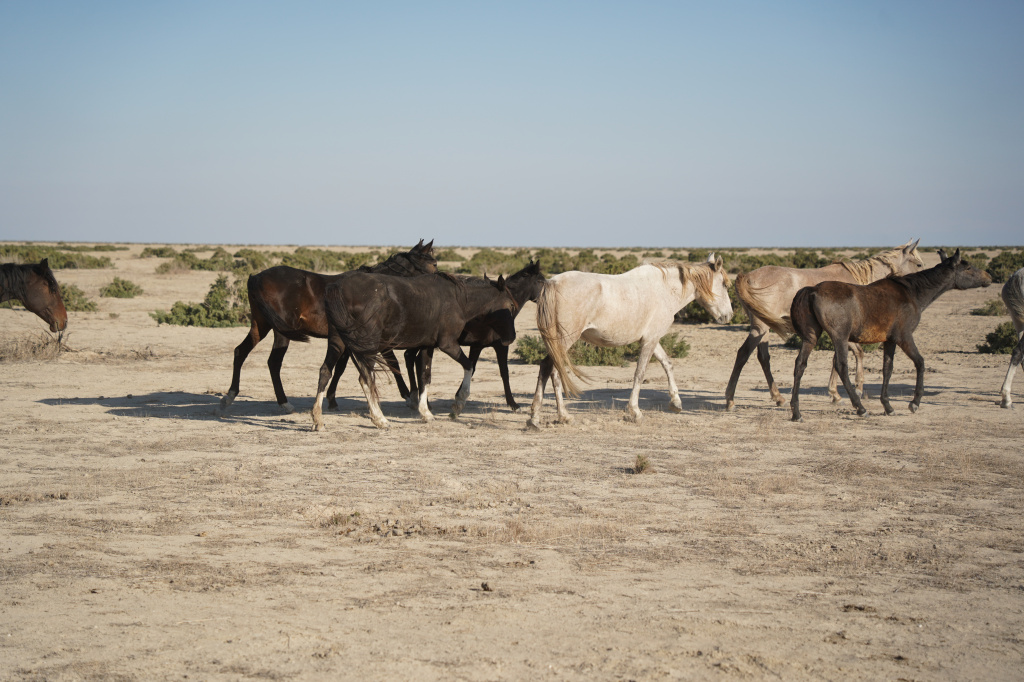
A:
(668, 124)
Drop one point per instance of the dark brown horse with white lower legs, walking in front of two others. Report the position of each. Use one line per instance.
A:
(370, 314)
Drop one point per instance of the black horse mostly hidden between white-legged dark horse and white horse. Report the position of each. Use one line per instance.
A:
(491, 330)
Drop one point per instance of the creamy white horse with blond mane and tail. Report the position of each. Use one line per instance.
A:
(617, 310)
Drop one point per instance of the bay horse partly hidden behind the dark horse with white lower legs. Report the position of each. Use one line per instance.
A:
(290, 302)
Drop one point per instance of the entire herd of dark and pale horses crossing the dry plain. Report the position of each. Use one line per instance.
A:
(405, 304)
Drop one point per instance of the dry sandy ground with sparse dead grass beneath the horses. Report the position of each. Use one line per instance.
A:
(145, 538)
